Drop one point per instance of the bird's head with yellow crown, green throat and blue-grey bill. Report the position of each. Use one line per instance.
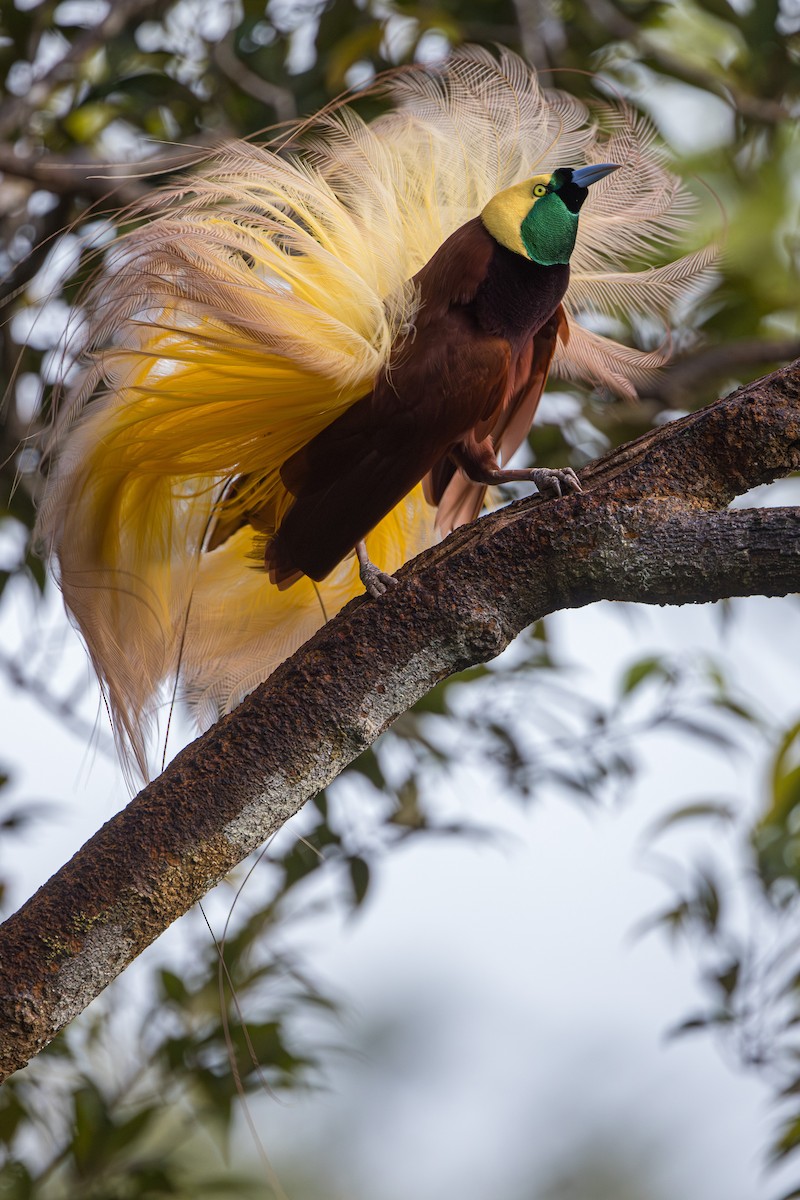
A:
(539, 218)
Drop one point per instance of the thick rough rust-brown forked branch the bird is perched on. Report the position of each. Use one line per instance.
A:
(651, 527)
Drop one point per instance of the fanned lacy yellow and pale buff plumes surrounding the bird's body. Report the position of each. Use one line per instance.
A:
(256, 304)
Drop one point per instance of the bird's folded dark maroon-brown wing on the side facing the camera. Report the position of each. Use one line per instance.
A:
(447, 377)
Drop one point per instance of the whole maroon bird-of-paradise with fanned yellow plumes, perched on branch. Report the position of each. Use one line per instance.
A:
(332, 350)
